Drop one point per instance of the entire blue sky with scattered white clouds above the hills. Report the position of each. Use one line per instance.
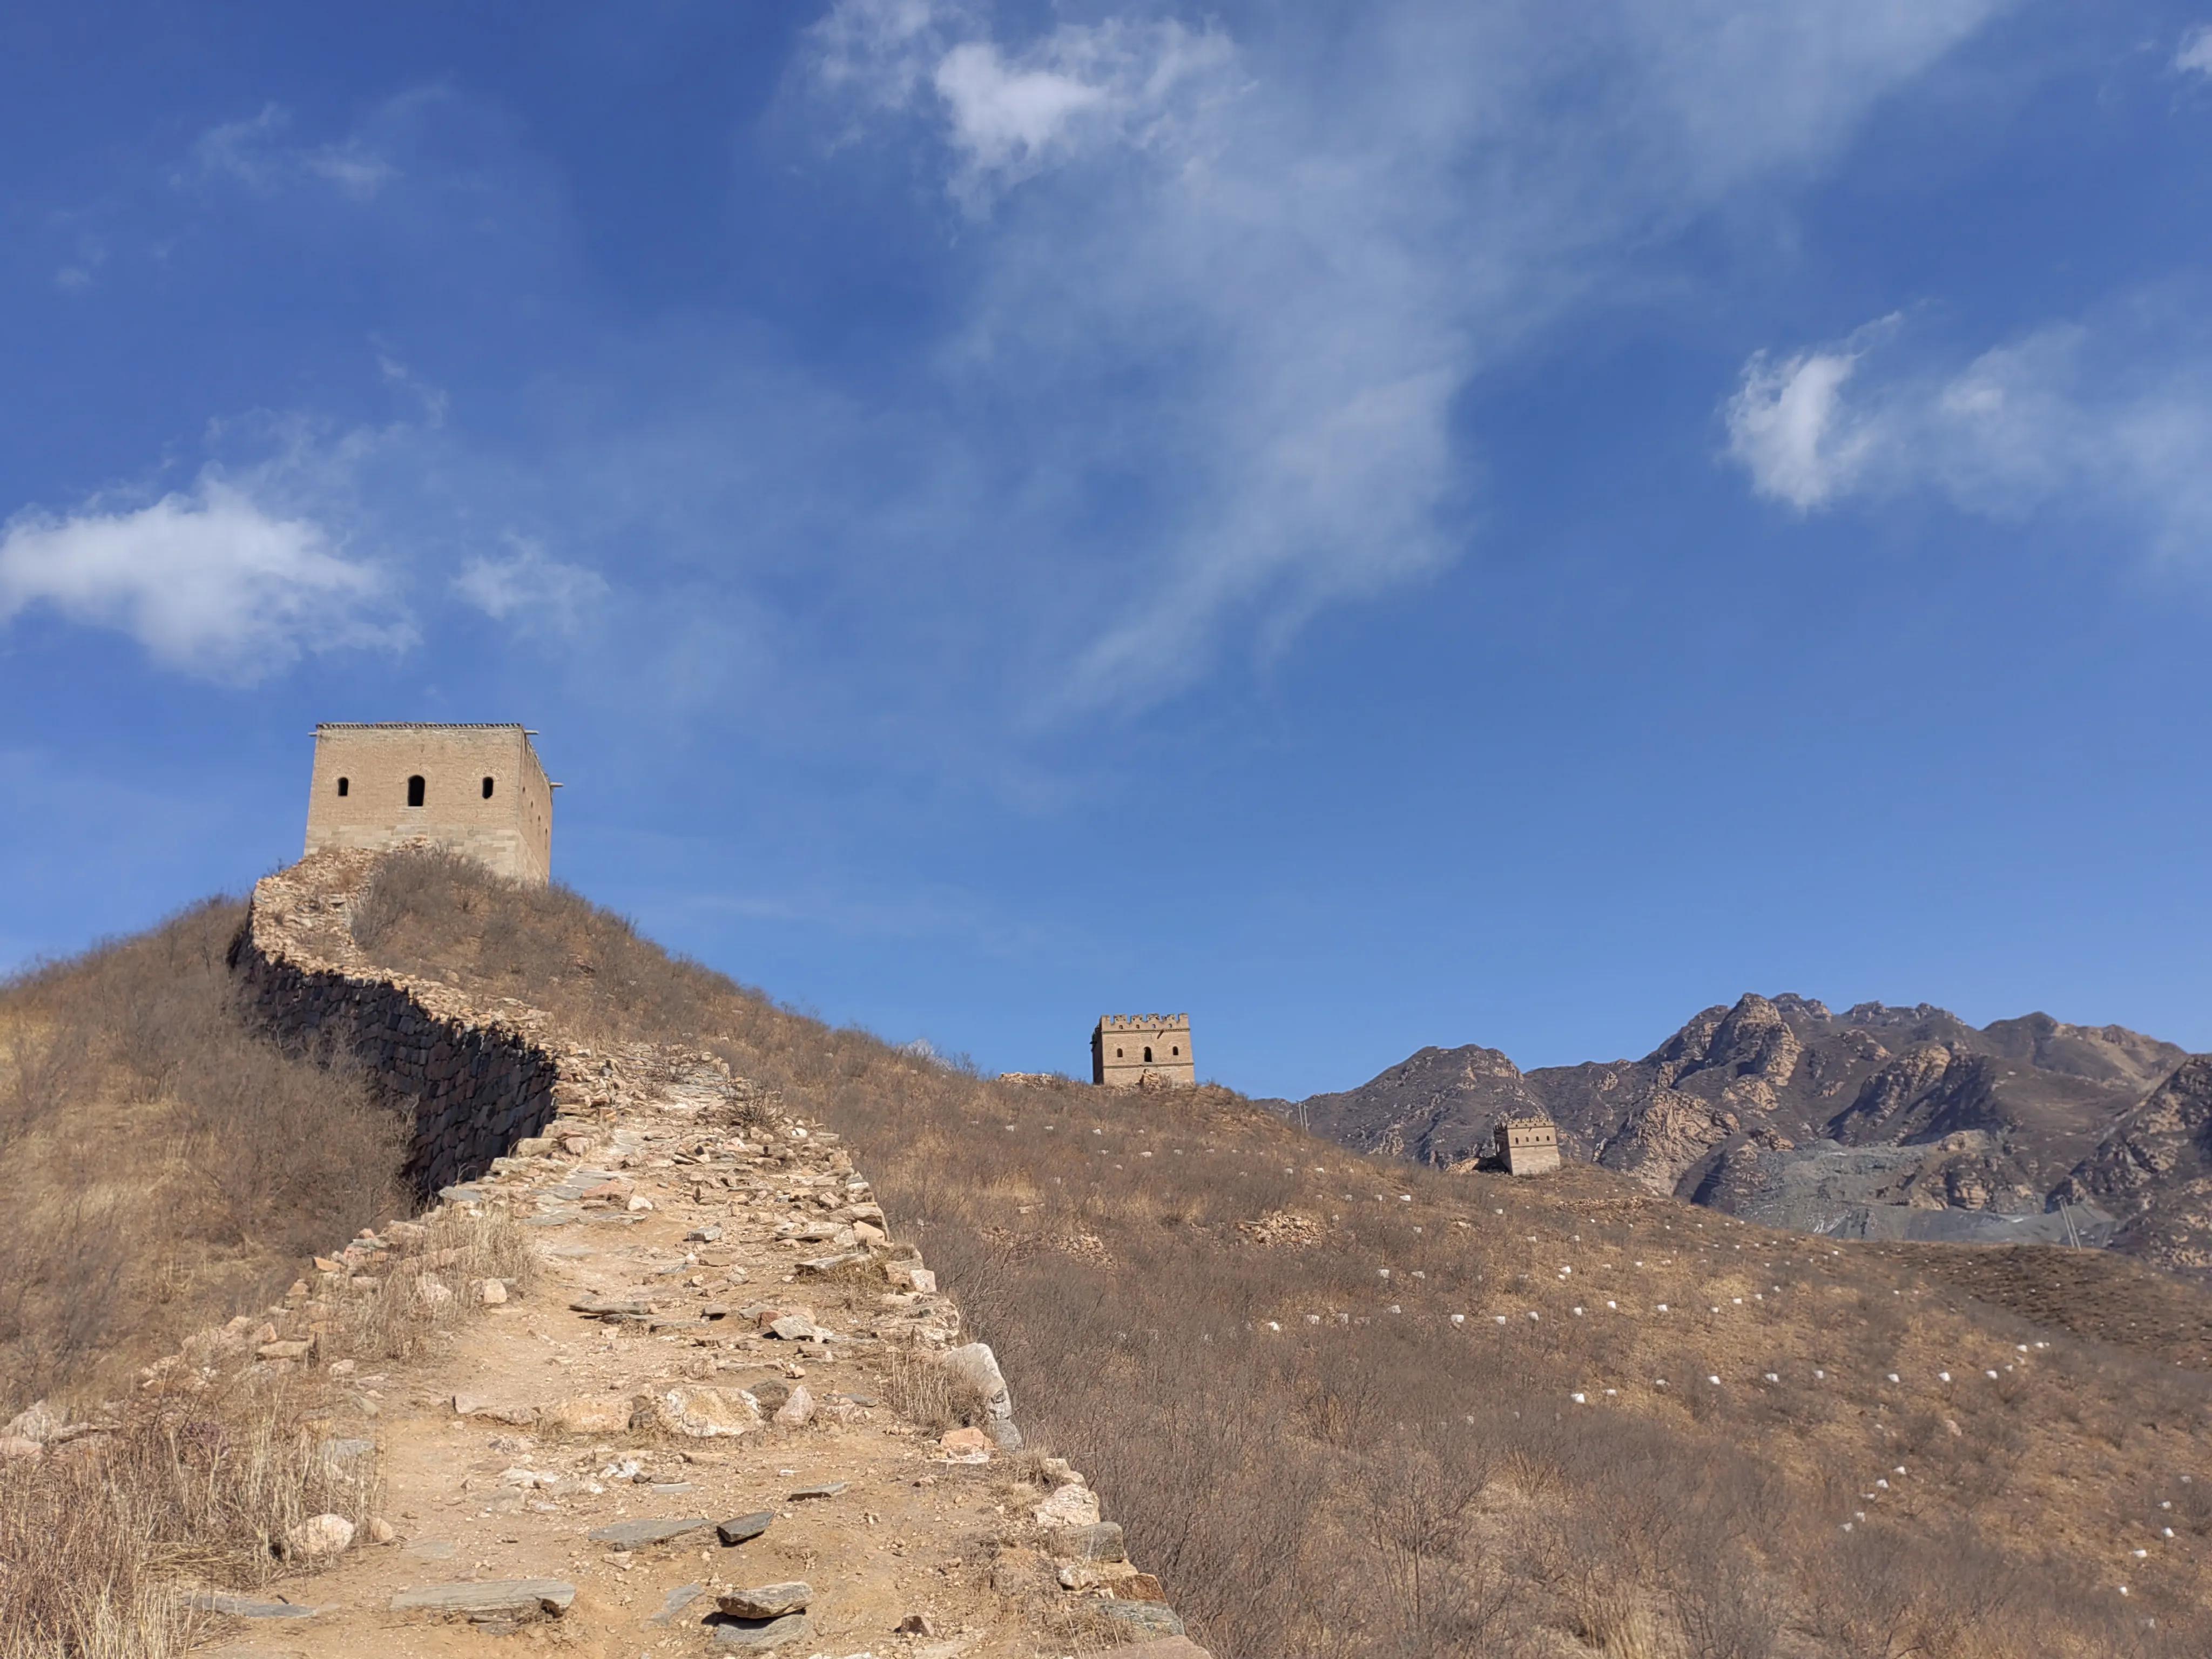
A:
(1375, 525)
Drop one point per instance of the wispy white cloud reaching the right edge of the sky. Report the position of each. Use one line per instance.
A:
(2107, 417)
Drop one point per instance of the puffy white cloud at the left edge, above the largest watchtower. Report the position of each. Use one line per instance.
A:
(211, 581)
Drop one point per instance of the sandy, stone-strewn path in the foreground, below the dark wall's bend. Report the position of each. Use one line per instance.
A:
(671, 1235)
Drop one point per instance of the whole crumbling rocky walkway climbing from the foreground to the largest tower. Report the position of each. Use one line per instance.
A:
(713, 1419)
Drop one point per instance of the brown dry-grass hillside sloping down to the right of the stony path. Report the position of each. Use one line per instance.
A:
(1315, 1474)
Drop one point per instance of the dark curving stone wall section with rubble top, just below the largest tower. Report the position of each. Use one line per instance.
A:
(472, 1087)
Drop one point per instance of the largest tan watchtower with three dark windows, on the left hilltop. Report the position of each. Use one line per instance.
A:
(477, 791)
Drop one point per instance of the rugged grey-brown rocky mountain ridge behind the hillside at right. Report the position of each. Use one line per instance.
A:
(1870, 1123)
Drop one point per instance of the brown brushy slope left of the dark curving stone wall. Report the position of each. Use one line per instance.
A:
(167, 1165)
